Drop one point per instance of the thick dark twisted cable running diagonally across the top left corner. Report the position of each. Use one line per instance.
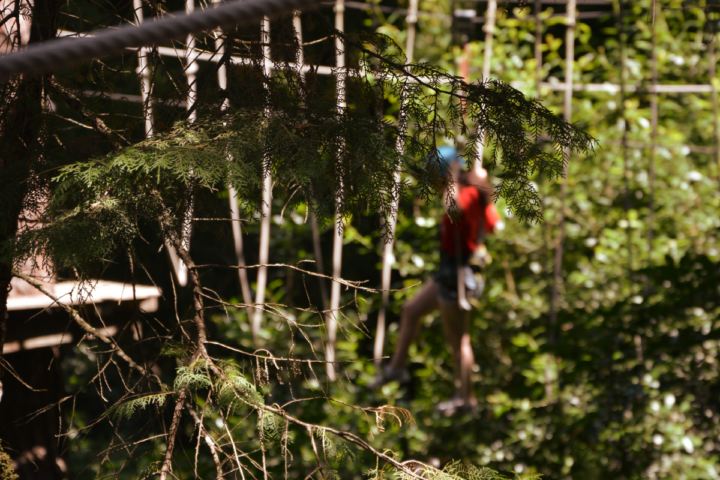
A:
(53, 54)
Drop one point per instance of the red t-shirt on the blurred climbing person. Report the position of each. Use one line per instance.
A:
(468, 222)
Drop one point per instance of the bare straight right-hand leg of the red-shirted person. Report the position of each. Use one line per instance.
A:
(456, 323)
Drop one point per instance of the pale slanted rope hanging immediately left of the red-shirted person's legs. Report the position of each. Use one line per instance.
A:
(388, 256)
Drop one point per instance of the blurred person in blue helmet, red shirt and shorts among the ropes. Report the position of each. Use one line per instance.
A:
(462, 253)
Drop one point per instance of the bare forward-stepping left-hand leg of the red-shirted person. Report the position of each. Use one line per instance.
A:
(423, 303)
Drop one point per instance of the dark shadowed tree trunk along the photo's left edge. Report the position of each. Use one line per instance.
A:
(22, 190)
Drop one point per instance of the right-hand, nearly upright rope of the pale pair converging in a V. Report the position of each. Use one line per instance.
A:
(267, 202)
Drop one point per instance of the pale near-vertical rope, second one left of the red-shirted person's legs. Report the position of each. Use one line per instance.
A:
(333, 315)
